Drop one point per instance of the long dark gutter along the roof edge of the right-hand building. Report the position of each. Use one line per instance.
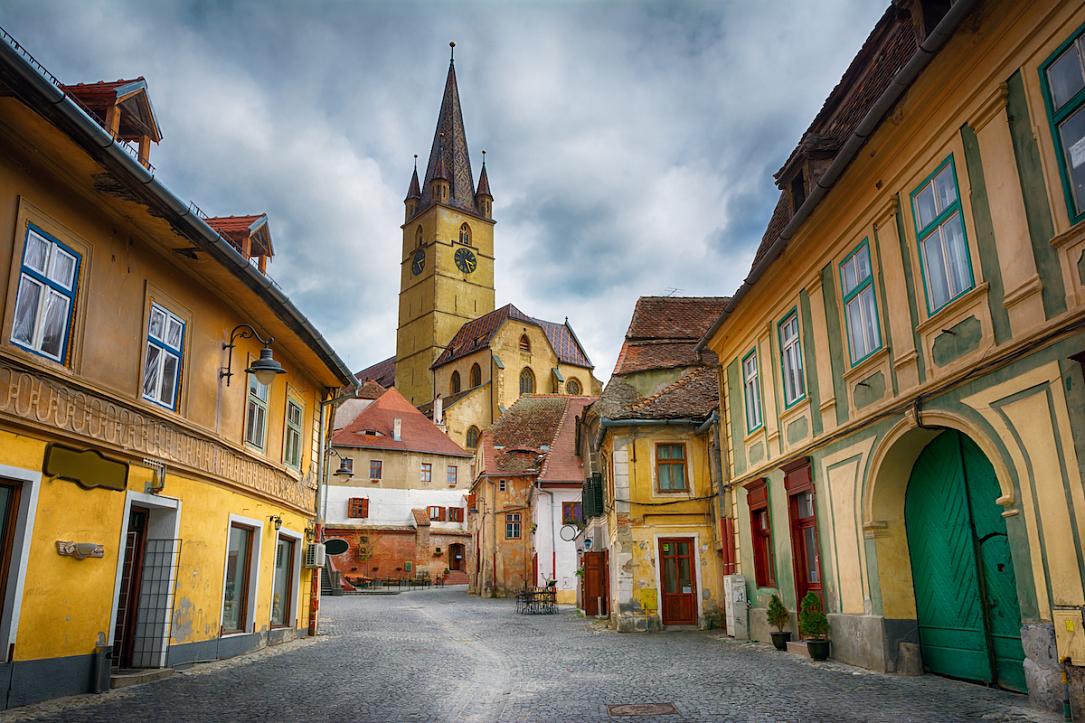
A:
(925, 53)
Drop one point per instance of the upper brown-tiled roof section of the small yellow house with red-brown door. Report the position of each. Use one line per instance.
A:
(665, 332)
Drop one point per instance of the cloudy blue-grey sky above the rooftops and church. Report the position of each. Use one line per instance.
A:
(631, 145)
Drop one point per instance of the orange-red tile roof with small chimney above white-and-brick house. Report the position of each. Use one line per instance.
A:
(417, 433)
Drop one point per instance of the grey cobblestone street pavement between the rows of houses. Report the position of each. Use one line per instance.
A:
(442, 656)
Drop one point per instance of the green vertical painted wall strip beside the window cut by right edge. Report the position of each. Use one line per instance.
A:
(1038, 208)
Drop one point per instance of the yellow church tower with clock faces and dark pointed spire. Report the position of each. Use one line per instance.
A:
(446, 276)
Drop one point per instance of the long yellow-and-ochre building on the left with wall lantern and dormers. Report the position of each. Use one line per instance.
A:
(156, 497)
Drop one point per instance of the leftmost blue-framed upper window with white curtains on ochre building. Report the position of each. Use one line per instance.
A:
(46, 299)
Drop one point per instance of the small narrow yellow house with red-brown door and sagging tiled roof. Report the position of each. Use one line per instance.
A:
(650, 550)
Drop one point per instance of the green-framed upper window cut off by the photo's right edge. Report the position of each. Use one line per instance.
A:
(1063, 80)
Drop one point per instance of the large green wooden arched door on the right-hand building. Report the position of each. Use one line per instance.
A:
(966, 592)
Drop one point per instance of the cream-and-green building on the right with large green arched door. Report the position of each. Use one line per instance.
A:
(902, 371)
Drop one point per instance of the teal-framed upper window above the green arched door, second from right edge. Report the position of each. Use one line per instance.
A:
(940, 229)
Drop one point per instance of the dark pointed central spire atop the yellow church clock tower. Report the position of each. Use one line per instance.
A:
(452, 150)
